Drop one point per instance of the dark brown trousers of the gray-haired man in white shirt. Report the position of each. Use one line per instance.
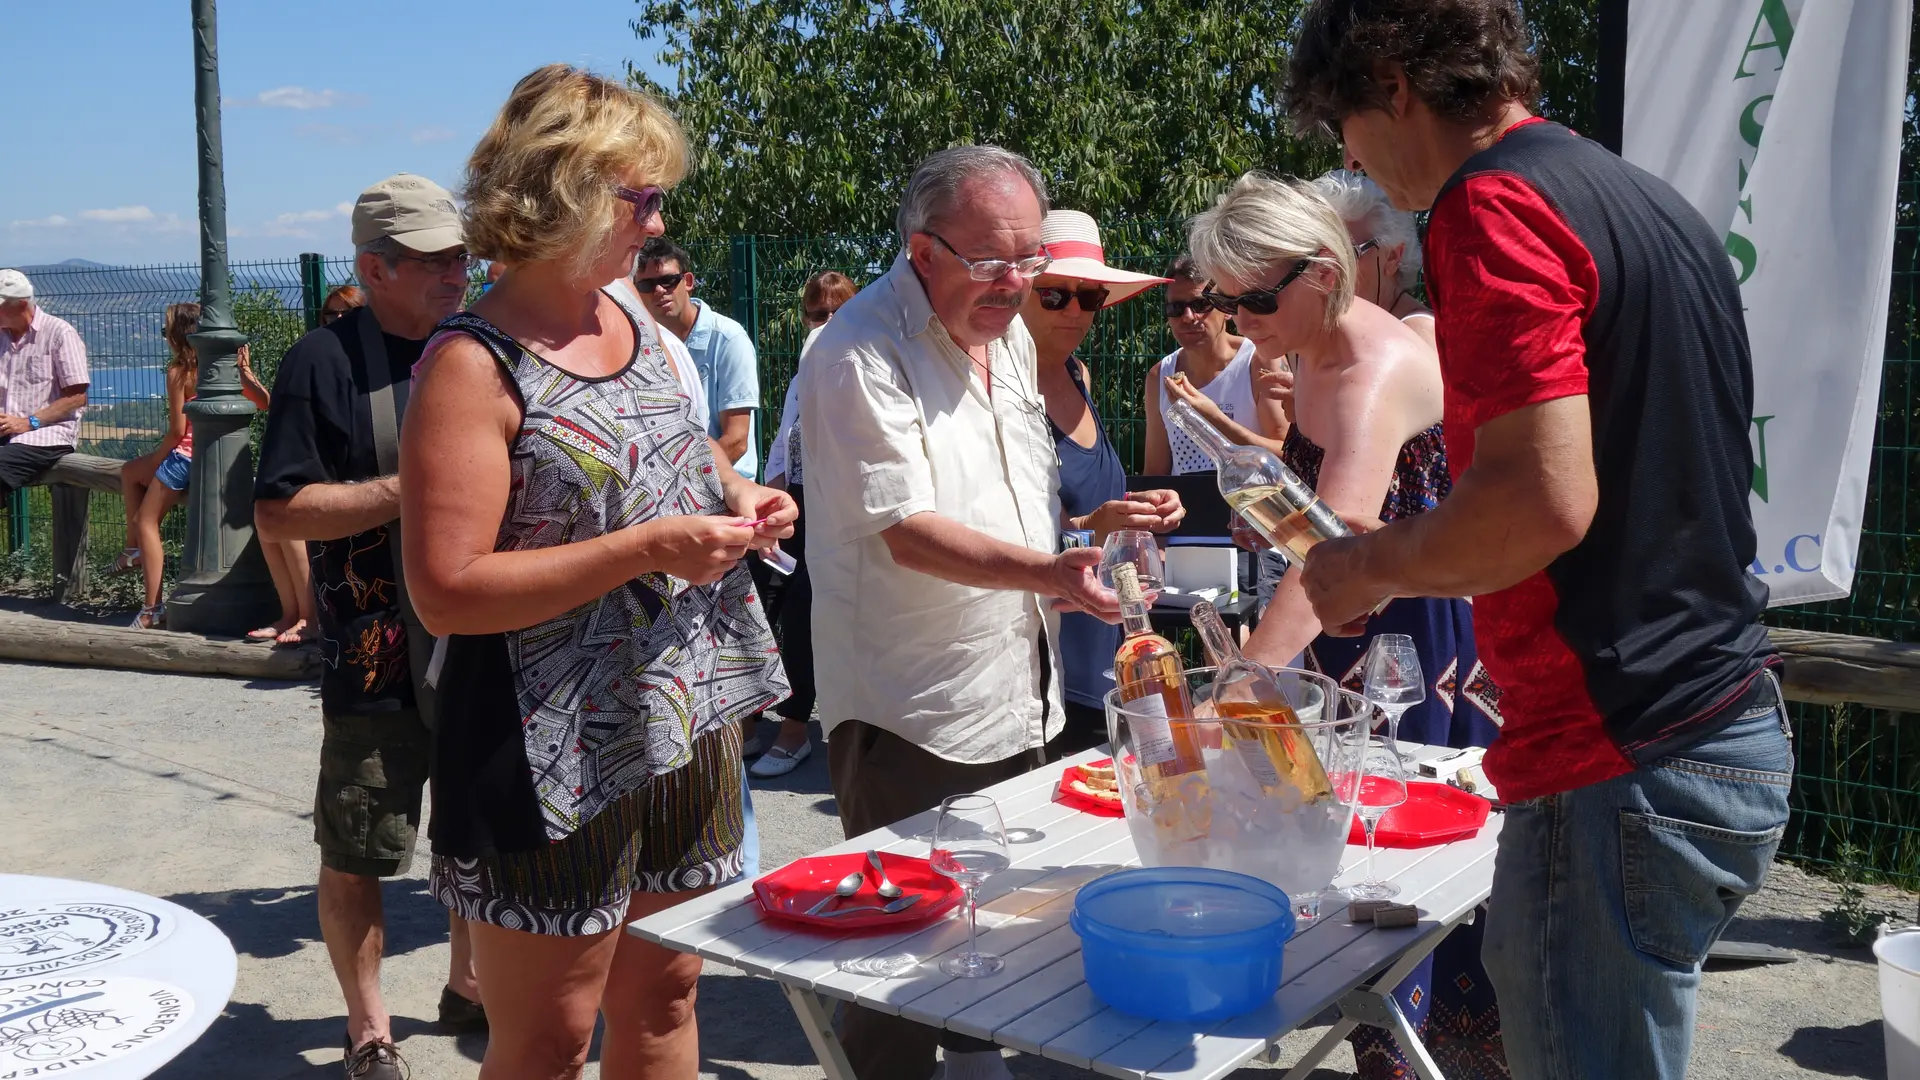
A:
(880, 779)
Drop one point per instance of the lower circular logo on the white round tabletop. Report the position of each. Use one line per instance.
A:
(51, 1027)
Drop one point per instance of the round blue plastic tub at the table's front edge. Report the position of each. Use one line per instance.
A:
(1182, 943)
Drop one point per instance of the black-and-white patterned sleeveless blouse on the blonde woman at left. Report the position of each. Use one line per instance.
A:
(613, 693)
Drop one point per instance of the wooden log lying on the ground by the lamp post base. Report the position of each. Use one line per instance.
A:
(53, 641)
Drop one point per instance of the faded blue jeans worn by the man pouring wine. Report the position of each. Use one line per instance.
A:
(1608, 898)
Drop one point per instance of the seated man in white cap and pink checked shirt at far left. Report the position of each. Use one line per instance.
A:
(43, 383)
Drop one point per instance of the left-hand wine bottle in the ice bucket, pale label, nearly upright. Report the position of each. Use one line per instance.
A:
(1153, 679)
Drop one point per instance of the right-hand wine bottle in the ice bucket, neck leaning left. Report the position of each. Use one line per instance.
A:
(1260, 727)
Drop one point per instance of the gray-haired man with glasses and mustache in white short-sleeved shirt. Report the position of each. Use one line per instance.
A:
(934, 533)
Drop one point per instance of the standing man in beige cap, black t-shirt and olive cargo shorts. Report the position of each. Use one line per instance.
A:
(322, 481)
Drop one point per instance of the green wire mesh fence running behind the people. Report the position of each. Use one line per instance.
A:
(1858, 793)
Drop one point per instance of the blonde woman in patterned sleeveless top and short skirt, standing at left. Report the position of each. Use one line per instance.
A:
(577, 539)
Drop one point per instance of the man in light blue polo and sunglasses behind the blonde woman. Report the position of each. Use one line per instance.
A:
(723, 353)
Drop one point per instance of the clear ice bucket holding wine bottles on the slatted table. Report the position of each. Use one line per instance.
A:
(1257, 806)
